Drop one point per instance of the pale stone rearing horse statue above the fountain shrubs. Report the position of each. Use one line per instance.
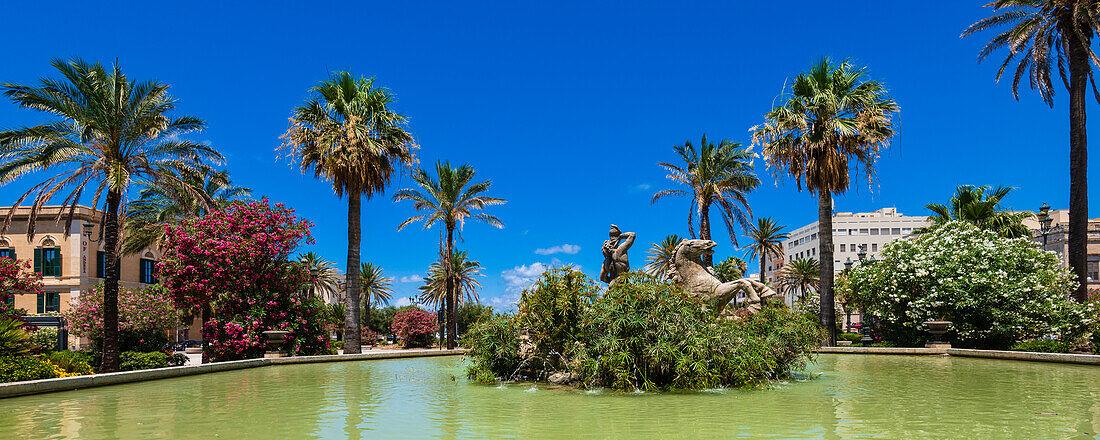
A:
(688, 271)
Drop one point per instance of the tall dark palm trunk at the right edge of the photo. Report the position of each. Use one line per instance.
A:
(1079, 161)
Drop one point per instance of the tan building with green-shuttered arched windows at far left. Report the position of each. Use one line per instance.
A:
(71, 261)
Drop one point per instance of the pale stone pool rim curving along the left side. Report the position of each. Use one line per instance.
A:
(61, 384)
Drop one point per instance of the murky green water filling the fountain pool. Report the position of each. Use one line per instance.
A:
(855, 397)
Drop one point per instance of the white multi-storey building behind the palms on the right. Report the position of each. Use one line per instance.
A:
(851, 232)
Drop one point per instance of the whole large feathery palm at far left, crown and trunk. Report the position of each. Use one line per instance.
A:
(109, 133)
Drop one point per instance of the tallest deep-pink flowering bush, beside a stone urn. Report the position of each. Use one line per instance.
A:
(235, 263)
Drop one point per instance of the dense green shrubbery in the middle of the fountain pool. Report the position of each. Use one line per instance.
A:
(641, 335)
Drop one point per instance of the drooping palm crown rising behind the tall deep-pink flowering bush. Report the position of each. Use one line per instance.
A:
(195, 195)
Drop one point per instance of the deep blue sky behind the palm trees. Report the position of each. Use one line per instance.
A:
(567, 107)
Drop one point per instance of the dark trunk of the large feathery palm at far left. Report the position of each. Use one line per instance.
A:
(111, 361)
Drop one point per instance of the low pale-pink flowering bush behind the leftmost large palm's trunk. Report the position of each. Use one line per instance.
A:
(149, 310)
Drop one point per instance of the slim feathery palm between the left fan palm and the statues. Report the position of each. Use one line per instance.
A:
(452, 201)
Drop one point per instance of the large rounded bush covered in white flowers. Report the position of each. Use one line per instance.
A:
(995, 291)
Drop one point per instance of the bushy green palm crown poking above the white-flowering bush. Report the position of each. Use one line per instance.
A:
(980, 206)
